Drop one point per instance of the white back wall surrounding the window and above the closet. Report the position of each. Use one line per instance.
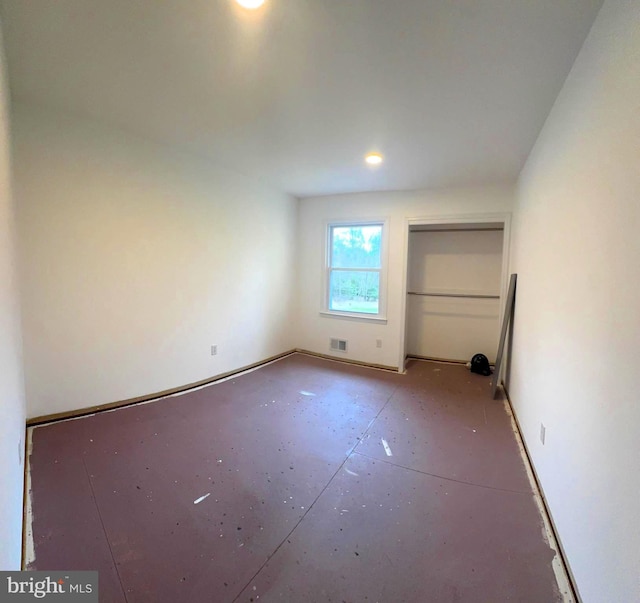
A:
(314, 329)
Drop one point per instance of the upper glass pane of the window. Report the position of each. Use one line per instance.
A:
(356, 246)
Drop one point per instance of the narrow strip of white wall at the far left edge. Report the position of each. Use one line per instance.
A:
(12, 407)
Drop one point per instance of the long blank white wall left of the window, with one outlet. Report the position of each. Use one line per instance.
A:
(137, 259)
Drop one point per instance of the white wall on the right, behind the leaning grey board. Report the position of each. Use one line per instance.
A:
(577, 329)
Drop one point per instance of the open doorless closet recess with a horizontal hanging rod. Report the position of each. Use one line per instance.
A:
(455, 286)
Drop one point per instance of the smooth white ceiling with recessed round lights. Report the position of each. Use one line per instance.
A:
(452, 92)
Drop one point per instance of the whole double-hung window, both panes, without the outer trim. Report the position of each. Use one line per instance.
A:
(354, 268)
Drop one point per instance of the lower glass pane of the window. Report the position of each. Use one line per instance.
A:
(354, 291)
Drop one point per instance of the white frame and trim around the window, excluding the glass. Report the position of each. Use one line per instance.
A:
(381, 316)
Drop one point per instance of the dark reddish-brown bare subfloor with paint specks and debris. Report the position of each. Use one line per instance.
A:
(302, 500)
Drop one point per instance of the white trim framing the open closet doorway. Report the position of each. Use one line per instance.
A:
(504, 218)
